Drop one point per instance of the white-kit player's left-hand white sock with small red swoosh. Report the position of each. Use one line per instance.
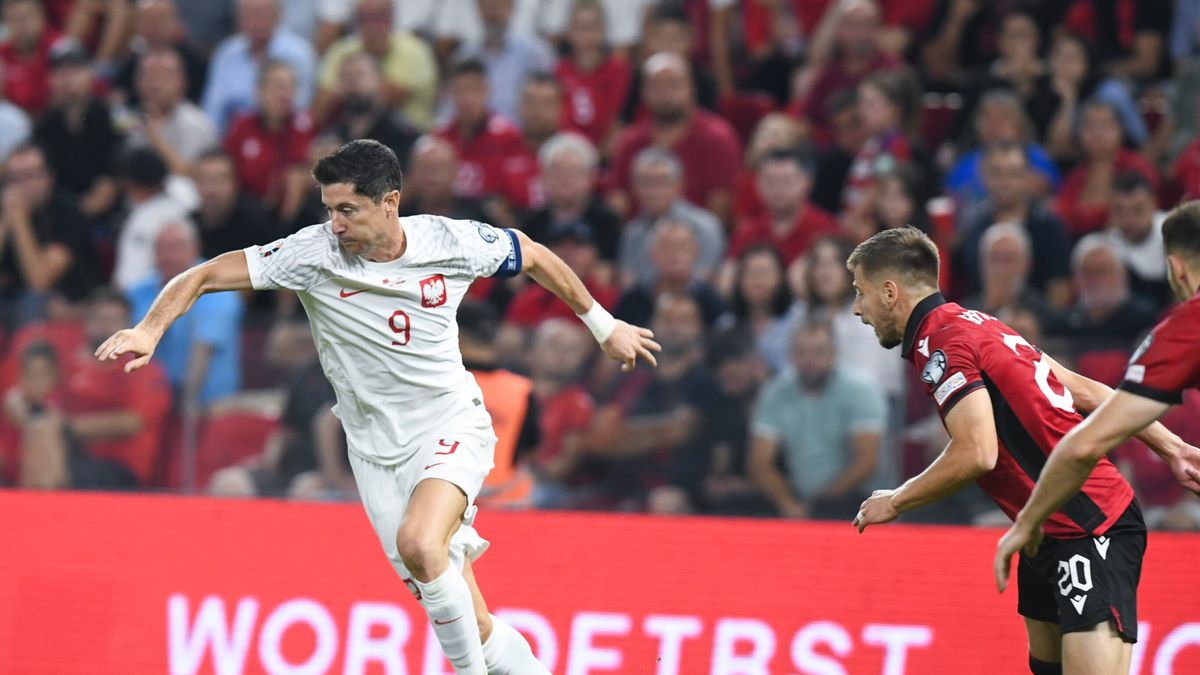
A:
(447, 601)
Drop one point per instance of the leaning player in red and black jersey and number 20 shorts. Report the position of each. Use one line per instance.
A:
(1006, 405)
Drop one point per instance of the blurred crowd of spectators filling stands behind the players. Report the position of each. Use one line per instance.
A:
(705, 166)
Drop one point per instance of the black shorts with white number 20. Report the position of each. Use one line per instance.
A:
(1082, 583)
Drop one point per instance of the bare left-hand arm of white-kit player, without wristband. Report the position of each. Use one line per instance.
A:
(227, 272)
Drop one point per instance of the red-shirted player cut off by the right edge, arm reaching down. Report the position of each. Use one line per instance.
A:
(1167, 363)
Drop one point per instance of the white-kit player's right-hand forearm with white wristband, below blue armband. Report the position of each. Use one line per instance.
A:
(620, 341)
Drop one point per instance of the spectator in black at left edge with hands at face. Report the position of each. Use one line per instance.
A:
(45, 243)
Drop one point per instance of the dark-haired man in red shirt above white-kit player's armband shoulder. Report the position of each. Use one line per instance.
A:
(482, 139)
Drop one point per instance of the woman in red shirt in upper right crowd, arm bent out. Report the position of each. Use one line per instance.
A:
(1084, 199)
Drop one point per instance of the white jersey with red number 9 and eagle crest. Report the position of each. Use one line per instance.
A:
(387, 333)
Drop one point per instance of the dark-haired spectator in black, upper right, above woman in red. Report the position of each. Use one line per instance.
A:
(1073, 80)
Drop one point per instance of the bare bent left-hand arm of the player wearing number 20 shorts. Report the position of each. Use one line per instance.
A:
(971, 453)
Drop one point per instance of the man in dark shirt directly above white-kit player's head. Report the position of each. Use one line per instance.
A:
(365, 111)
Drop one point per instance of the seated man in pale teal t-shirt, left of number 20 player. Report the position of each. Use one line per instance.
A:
(826, 423)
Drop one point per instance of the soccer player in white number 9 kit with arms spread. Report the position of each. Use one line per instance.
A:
(382, 294)
